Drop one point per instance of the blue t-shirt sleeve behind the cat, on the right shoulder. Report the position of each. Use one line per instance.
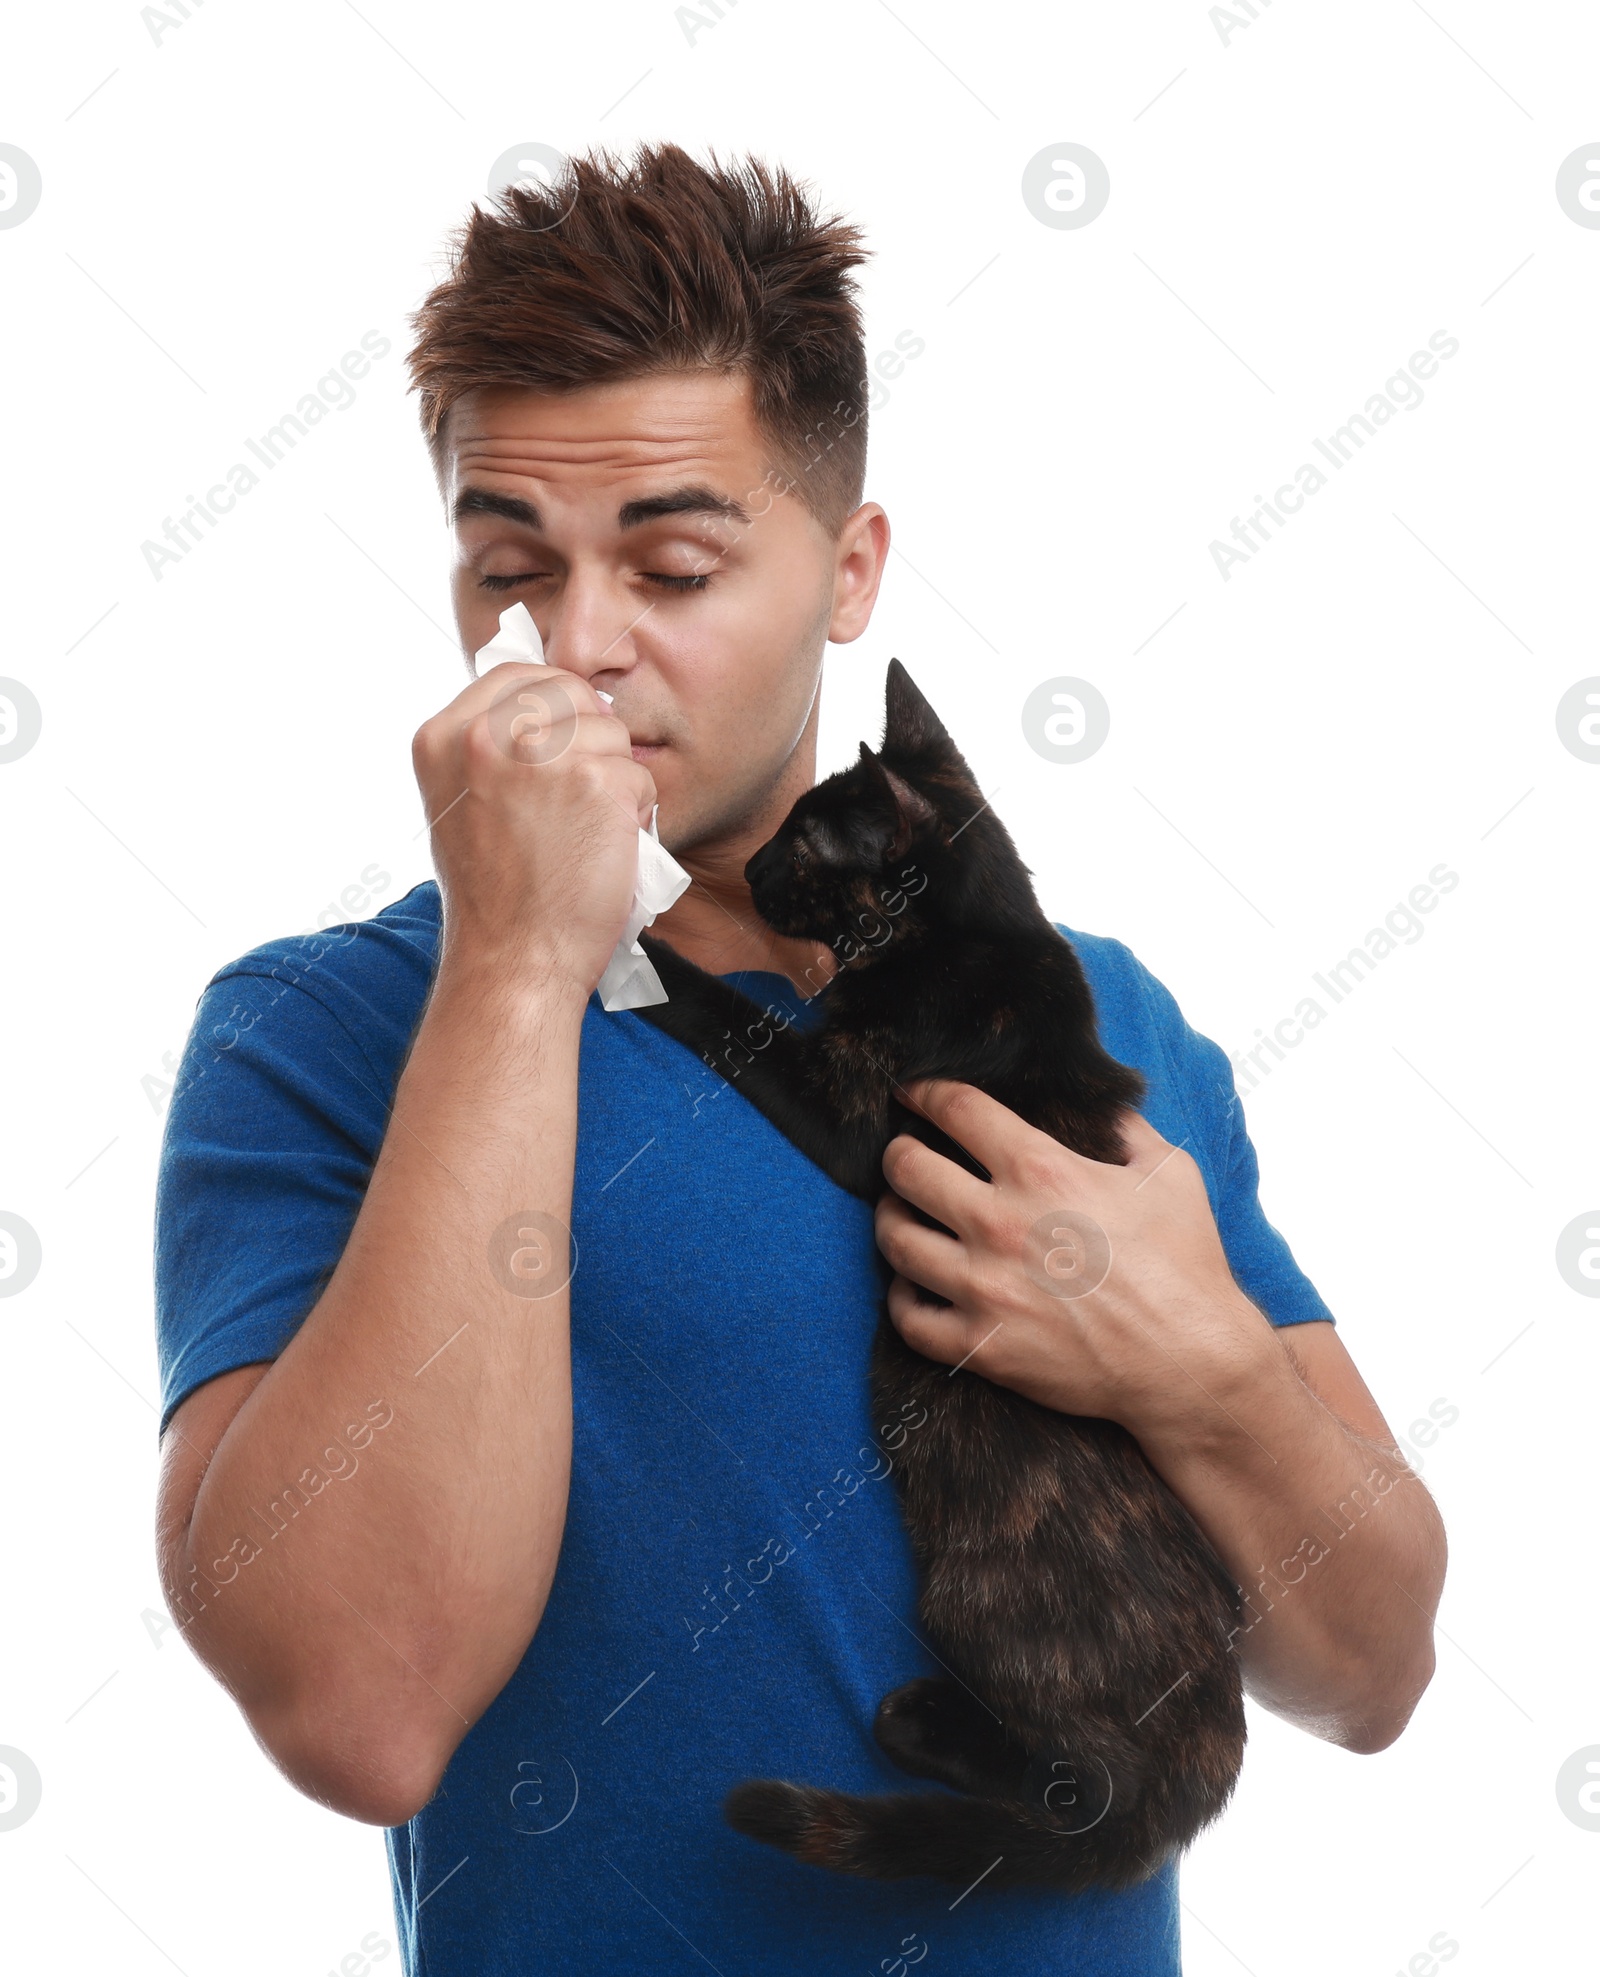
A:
(1207, 1102)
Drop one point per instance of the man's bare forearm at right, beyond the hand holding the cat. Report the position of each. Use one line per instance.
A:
(1334, 1539)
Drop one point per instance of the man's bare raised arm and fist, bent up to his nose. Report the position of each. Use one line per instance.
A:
(365, 1630)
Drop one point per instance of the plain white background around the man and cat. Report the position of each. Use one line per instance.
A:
(1294, 211)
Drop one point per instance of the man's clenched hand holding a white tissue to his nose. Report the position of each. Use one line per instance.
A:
(537, 808)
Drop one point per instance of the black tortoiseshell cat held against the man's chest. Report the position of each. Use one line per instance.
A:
(1095, 1721)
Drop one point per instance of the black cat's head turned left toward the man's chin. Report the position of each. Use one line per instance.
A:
(881, 851)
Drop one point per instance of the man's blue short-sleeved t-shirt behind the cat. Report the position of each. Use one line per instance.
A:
(735, 1590)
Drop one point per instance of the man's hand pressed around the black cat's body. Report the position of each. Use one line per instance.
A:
(1144, 1328)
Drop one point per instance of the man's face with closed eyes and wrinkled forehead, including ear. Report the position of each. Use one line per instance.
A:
(650, 535)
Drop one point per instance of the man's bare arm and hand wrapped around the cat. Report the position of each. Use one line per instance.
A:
(1269, 1438)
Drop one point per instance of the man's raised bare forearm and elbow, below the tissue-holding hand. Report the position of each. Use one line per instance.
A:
(365, 1622)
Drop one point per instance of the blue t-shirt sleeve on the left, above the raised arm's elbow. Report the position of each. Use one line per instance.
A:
(272, 1136)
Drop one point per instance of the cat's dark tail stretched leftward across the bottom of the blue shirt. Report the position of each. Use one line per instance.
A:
(952, 1838)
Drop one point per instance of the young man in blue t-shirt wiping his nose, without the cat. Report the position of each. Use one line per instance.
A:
(519, 1476)
